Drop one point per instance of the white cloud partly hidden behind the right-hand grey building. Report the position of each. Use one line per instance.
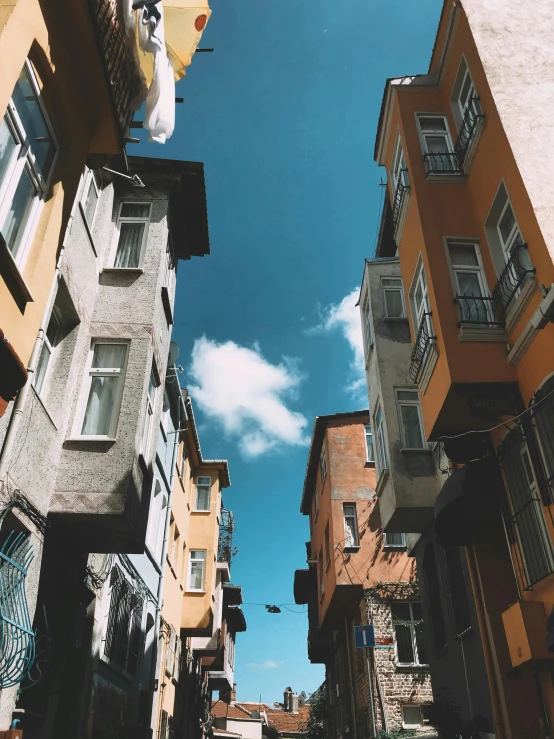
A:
(345, 316)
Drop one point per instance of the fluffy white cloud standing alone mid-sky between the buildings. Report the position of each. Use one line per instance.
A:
(247, 394)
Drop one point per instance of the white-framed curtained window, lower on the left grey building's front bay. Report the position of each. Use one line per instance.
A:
(104, 388)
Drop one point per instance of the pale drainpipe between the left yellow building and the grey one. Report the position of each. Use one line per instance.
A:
(23, 395)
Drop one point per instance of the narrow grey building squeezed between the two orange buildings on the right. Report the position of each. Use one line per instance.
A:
(410, 472)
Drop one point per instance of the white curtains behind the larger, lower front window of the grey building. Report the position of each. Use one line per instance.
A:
(103, 389)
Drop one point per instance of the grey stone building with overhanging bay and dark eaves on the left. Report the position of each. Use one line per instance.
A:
(80, 452)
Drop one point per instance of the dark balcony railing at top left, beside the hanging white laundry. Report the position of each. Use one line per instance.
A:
(118, 67)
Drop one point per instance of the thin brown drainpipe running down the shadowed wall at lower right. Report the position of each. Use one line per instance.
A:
(499, 710)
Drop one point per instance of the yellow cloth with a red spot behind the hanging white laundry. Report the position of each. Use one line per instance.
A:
(184, 22)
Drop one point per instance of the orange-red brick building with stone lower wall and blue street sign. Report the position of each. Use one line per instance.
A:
(359, 575)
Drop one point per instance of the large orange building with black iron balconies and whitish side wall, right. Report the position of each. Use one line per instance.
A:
(473, 232)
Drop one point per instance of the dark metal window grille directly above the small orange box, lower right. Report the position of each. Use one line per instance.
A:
(523, 510)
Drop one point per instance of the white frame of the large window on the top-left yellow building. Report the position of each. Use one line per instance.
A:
(23, 160)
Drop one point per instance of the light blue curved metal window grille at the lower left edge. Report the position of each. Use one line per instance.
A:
(17, 640)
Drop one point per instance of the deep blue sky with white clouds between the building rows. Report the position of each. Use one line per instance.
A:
(283, 114)
